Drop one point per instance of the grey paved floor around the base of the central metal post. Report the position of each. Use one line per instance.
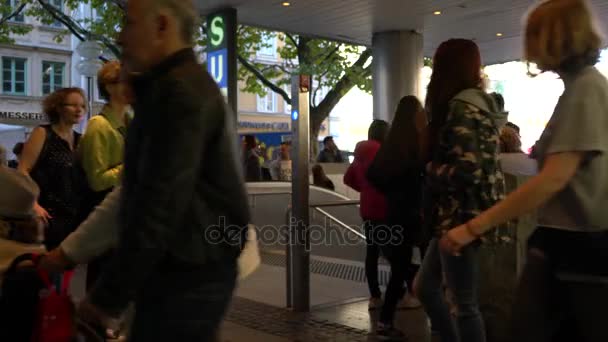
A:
(339, 311)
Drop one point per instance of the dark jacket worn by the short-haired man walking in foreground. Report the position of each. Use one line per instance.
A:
(183, 189)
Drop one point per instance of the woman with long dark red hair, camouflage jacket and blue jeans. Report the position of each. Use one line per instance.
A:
(463, 178)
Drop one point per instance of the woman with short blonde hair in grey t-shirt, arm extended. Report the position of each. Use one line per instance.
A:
(563, 283)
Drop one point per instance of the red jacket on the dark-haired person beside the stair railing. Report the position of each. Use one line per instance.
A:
(373, 203)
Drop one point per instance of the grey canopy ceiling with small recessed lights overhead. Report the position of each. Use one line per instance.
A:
(495, 25)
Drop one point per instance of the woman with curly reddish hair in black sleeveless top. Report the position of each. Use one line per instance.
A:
(49, 157)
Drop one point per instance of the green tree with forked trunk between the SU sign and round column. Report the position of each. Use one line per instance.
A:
(335, 67)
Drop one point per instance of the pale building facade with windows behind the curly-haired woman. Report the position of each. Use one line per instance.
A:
(34, 66)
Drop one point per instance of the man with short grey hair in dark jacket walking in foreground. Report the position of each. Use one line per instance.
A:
(184, 207)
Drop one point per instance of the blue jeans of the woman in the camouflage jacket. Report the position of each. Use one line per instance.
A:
(462, 278)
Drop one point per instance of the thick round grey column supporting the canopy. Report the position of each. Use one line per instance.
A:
(398, 59)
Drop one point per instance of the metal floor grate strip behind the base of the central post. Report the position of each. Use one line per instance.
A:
(349, 270)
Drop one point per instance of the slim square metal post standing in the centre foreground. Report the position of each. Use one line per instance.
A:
(300, 250)
